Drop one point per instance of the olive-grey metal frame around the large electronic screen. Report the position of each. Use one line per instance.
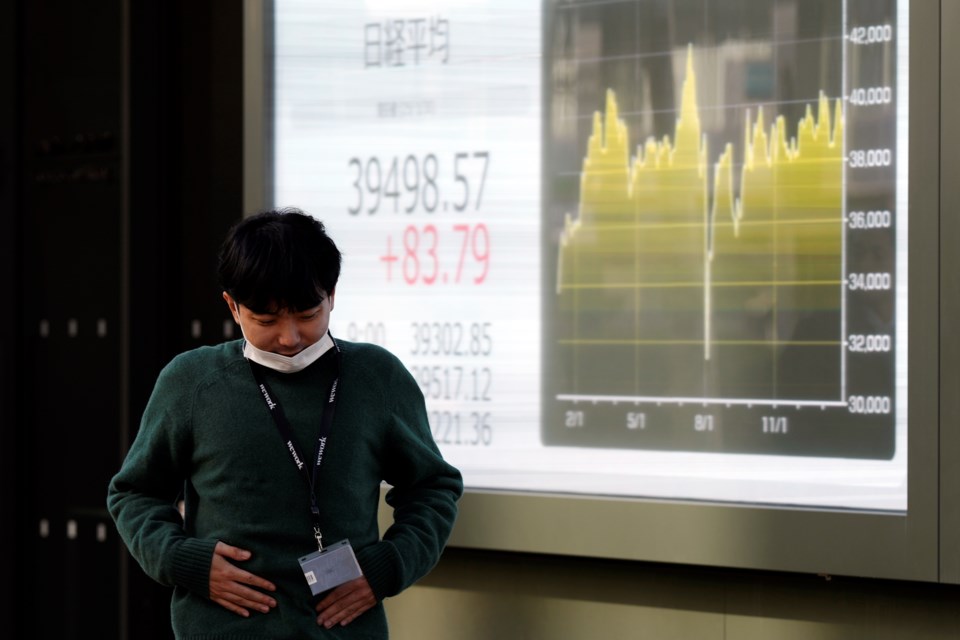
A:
(833, 542)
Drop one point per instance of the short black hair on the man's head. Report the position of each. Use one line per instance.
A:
(278, 259)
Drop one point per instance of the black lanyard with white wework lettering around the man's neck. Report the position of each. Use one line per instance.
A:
(286, 432)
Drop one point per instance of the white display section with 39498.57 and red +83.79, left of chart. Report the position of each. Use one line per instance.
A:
(426, 171)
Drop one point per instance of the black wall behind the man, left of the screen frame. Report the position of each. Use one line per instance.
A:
(122, 152)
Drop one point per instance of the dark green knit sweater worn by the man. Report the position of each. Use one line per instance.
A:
(207, 435)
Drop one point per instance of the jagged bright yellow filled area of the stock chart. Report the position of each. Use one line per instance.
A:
(695, 238)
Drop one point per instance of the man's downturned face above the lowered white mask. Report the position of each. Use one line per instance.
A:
(284, 331)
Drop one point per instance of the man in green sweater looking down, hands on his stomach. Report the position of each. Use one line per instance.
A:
(278, 444)
